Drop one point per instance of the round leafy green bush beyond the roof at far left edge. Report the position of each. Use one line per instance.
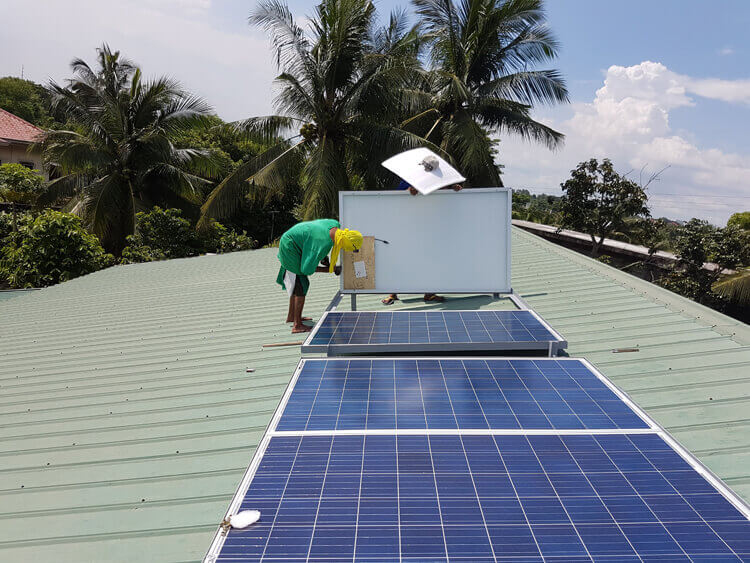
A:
(48, 249)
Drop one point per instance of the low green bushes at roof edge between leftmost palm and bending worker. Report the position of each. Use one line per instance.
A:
(162, 234)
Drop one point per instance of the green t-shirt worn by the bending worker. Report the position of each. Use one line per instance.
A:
(303, 246)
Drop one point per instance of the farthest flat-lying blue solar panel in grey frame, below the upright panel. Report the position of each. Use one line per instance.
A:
(352, 332)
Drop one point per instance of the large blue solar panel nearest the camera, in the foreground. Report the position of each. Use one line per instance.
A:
(480, 498)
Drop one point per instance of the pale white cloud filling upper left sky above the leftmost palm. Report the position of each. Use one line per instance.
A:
(232, 70)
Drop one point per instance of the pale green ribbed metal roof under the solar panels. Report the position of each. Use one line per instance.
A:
(128, 417)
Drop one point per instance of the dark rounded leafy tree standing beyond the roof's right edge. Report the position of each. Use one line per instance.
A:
(597, 201)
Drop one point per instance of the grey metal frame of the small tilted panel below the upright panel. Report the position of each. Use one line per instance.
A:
(552, 347)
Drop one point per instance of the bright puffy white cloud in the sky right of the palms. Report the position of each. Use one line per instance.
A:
(628, 121)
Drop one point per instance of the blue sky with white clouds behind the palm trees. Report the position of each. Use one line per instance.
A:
(652, 83)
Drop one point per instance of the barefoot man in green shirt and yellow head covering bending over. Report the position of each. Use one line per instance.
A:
(301, 250)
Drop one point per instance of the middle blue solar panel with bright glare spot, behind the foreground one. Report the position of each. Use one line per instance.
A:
(359, 394)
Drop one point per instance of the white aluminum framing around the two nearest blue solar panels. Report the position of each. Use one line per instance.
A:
(655, 428)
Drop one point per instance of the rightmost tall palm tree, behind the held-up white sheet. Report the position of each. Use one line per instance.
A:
(481, 82)
